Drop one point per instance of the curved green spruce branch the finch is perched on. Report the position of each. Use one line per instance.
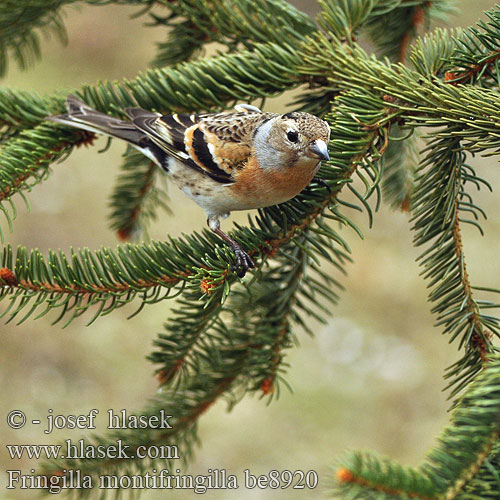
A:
(111, 279)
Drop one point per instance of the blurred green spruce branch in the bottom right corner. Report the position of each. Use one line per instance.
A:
(461, 462)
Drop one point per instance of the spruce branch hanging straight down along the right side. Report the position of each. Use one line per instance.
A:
(439, 203)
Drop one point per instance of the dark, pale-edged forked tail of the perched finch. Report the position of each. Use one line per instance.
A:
(81, 116)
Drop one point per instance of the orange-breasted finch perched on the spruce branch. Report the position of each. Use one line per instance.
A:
(237, 160)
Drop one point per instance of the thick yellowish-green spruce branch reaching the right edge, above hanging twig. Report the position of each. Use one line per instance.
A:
(417, 99)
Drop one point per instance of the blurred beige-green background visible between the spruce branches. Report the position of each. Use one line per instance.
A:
(369, 379)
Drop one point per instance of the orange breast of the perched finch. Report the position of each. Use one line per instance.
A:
(264, 187)
